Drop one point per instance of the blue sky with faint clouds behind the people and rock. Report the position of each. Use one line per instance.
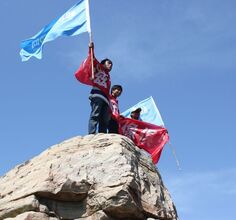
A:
(182, 52)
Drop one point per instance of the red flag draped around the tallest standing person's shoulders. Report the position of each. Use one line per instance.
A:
(101, 76)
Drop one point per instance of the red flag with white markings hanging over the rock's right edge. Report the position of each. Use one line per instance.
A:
(149, 137)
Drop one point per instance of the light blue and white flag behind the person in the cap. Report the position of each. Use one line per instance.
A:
(149, 113)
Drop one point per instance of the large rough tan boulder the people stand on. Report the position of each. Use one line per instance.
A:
(103, 176)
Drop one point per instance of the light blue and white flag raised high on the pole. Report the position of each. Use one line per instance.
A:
(75, 21)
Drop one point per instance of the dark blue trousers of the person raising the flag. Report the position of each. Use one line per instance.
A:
(99, 116)
